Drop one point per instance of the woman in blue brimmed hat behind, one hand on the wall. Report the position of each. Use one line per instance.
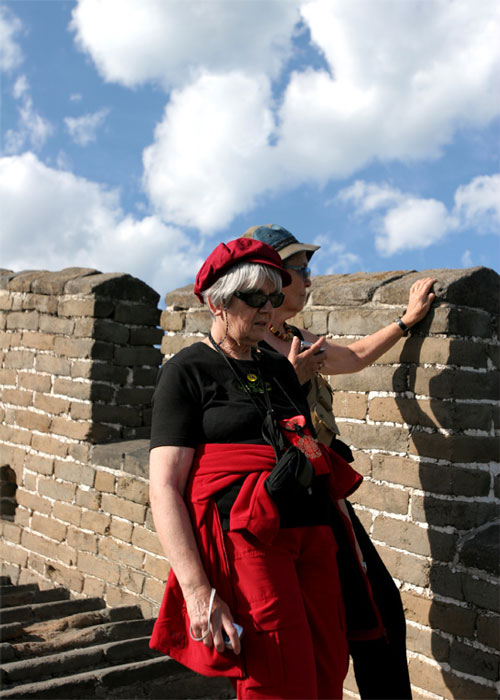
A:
(380, 664)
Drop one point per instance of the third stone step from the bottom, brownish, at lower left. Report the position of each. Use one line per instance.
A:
(86, 637)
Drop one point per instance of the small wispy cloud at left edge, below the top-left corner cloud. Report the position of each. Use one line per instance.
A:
(32, 129)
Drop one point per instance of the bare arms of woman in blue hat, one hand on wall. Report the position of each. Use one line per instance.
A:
(345, 359)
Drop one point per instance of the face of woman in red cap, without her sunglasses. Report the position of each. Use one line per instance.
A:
(247, 325)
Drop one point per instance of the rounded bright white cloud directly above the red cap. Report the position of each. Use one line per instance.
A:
(202, 172)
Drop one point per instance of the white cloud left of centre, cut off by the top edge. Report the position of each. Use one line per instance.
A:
(134, 41)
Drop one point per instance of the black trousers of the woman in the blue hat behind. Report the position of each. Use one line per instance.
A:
(380, 665)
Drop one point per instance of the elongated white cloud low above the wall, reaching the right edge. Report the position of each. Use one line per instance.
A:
(405, 222)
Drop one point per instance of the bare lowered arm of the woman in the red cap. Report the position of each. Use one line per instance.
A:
(169, 469)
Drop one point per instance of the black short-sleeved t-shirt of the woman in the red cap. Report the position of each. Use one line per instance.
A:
(198, 398)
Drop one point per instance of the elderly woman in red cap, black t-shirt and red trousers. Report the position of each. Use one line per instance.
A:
(250, 555)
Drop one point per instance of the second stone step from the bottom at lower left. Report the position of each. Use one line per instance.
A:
(83, 659)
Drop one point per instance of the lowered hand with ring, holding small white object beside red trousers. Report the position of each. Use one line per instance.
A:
(198, 604)
